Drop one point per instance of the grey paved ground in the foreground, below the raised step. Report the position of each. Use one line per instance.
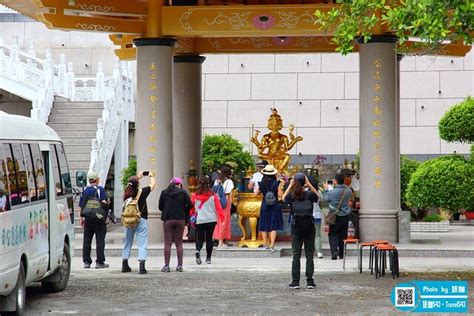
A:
(244, 286)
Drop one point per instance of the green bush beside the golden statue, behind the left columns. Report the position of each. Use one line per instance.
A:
(220, 149)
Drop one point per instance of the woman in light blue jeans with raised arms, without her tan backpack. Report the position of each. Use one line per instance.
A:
(141, 230)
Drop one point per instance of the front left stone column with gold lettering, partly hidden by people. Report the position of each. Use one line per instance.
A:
(153, 134)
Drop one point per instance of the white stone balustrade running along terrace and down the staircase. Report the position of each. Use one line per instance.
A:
(40, 80)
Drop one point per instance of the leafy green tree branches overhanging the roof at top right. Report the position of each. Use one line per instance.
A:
(432, 21)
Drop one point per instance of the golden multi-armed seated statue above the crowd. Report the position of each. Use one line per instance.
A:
(274, 146)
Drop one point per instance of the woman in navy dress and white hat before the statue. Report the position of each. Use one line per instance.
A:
(271, 218)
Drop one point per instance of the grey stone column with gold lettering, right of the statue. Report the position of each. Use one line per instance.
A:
(379, 130)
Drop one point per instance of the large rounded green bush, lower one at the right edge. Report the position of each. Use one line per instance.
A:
(444, 182)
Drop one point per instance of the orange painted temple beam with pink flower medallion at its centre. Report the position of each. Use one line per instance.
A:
(242, 21)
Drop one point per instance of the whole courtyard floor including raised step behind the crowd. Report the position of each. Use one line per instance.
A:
(253, 282)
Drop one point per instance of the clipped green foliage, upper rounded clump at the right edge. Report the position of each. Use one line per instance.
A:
(457, 125)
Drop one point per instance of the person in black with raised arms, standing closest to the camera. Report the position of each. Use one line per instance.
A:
(302, 202)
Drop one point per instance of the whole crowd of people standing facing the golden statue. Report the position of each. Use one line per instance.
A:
(208, 210)
